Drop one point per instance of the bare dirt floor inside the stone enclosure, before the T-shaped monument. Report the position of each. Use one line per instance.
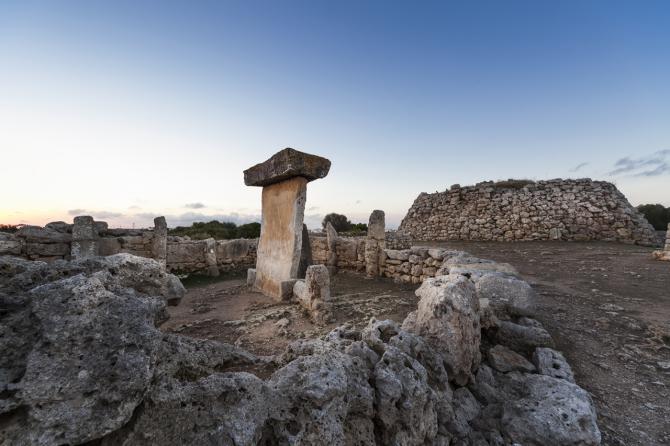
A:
(227, 311)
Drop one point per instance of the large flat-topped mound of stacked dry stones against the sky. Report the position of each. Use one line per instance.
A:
(559, 209)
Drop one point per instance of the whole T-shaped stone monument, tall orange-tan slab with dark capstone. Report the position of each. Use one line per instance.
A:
(284, 179)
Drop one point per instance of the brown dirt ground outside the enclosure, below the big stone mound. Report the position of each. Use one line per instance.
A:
(607, 305)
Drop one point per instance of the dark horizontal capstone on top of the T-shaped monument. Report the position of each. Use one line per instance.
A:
(287, 164)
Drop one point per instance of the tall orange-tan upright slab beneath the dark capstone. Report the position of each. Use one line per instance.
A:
(279, 248)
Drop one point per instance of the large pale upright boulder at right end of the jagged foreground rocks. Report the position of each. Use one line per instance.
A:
(447, 318)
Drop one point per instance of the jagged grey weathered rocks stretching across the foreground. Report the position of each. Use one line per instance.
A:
(82, 360)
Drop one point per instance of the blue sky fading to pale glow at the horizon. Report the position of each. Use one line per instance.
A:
(126, 110)
